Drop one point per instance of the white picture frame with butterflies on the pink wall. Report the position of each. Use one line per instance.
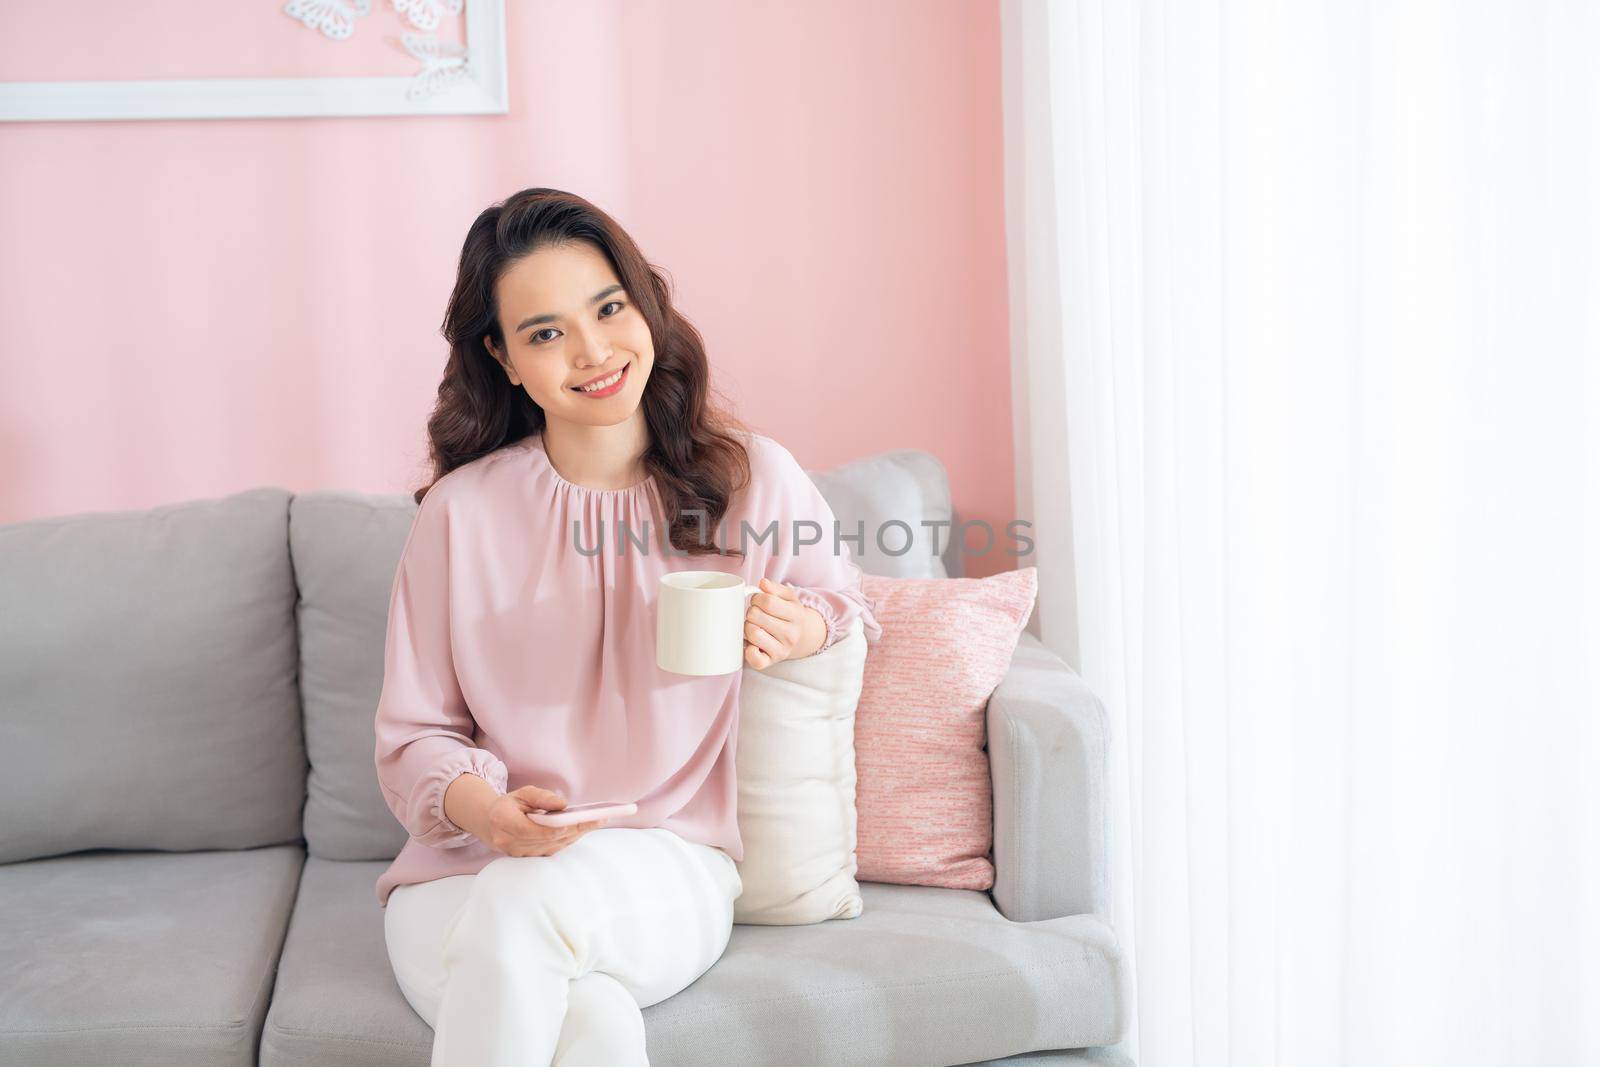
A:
(479, 92)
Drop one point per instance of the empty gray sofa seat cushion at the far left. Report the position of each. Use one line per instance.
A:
(122, 957)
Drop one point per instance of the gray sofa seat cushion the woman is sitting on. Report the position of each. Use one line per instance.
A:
(922, 977)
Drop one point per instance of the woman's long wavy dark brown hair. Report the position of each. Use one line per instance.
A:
(695, 455)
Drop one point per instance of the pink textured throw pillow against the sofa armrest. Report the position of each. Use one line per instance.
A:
(922, 775)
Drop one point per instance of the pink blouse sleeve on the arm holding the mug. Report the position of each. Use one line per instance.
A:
(823, 580)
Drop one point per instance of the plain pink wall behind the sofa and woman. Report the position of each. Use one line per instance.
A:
(198, 308)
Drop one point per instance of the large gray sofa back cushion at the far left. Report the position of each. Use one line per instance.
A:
(148, 674)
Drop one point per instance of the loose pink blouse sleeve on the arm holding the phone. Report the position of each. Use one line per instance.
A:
(425, 729)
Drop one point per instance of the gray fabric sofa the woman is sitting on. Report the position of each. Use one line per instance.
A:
(191, 826)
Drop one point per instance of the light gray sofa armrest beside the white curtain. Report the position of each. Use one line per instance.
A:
(1049, 764)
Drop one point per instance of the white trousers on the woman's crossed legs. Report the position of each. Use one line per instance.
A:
(548, 961)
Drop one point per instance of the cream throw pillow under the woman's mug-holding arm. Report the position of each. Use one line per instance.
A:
(796, 762)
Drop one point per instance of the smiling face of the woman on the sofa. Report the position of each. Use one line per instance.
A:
(567, 322)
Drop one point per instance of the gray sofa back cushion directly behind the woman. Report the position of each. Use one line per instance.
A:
(346, 548)
